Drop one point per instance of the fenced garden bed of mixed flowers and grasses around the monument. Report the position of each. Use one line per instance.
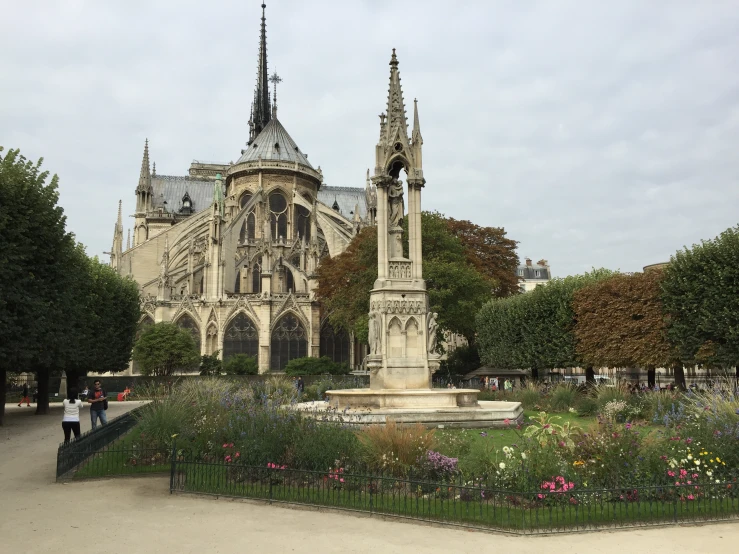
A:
(584, 457)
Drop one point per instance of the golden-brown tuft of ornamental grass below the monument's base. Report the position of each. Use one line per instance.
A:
(394, 448)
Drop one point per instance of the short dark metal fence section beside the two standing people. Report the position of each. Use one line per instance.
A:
(93, 444)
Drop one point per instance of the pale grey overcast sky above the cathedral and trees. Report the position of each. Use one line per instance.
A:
(599, 134)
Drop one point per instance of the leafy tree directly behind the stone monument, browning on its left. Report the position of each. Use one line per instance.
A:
(456, 287)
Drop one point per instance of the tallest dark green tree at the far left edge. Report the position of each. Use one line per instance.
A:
(34, 249)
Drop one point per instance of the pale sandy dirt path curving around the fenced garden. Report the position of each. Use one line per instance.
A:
(137, 515)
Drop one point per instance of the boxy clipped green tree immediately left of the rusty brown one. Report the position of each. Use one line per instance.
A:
(534, 330)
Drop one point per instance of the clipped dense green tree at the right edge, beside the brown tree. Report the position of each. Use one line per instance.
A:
(700, 292)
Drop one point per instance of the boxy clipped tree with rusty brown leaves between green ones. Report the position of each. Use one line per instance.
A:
(620, 322)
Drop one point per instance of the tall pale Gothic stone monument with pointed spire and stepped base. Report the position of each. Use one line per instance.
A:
(402, 329)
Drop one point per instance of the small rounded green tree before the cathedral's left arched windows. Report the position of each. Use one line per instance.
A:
(164, 348)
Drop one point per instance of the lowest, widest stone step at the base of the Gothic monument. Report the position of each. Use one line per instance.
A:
(484, 415)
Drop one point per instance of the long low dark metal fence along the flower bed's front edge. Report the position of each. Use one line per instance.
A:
(466, 503)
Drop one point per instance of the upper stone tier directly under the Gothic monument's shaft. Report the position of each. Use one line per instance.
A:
(406, 399)
